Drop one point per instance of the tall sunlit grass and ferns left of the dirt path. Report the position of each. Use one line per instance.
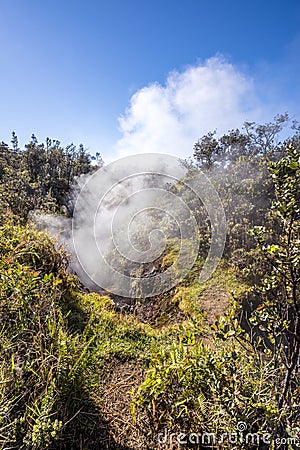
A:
(43, 365)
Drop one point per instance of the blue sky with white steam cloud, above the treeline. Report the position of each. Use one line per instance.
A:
(130, 76)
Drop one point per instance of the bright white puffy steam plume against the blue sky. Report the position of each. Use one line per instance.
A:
(169, 119)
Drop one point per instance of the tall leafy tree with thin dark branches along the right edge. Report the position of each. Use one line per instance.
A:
(278, 313)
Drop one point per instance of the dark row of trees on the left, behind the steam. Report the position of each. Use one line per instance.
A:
(40, 176)
